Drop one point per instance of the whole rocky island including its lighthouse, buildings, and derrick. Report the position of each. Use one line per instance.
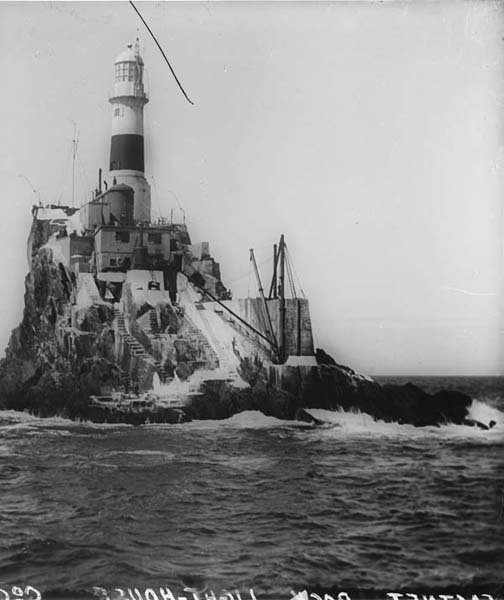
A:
(127, 320)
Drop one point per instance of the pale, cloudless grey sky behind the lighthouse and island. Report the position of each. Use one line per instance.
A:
(369, 133)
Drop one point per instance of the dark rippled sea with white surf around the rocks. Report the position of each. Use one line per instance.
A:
(254, 508)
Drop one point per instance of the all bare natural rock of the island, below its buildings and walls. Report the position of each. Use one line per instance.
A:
(63, 352)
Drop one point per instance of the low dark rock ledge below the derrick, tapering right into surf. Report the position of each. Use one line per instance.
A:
(329, 386)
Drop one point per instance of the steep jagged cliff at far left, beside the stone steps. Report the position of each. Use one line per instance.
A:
(57, 357)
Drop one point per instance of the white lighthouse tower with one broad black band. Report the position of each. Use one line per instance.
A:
(127, 145)
